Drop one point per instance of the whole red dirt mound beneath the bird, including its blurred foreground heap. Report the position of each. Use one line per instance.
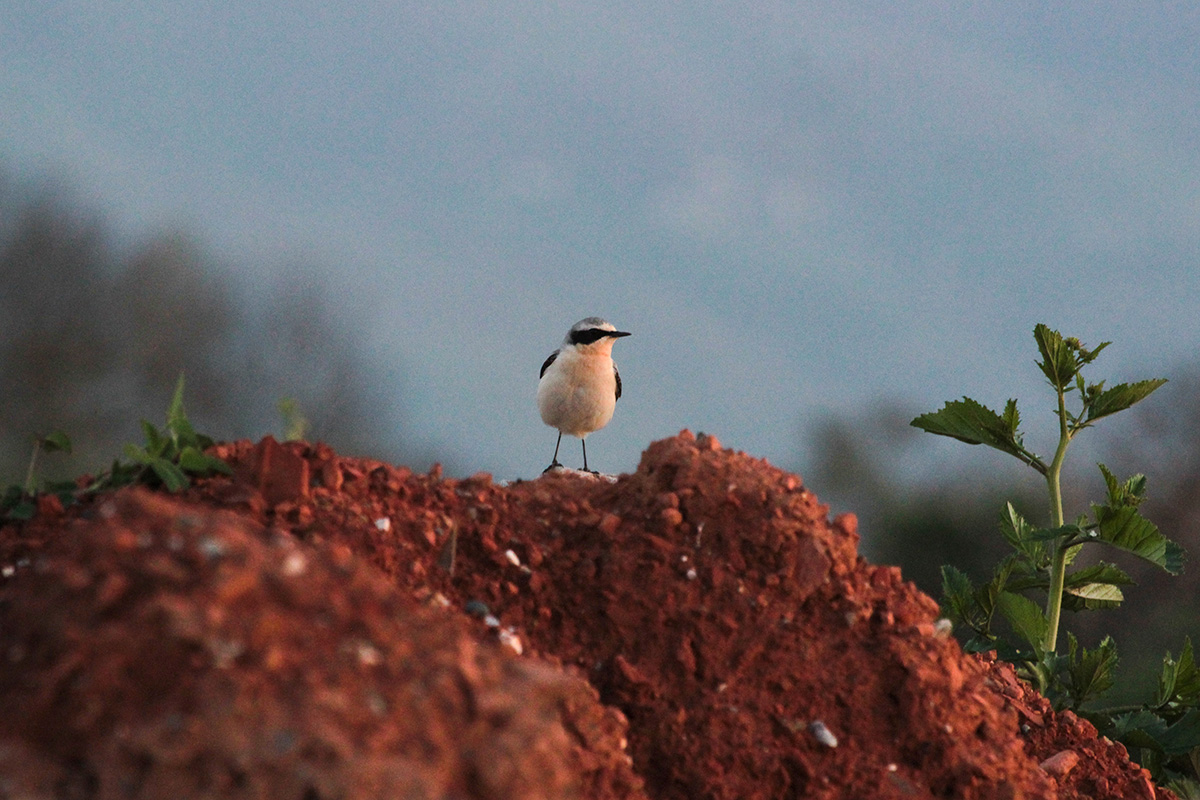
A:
(355, 635)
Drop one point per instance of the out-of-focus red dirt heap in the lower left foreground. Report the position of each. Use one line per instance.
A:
(169, 651)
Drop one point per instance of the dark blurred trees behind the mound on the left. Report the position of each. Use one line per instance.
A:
(94, 336)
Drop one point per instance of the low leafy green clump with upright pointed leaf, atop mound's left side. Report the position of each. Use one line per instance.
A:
(169, 458)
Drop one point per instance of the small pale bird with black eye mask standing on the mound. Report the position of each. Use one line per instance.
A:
(580, 384)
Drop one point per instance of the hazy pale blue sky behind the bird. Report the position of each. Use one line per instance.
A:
(795, 208)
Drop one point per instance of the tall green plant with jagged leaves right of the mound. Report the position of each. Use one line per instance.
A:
(1166, 730)
